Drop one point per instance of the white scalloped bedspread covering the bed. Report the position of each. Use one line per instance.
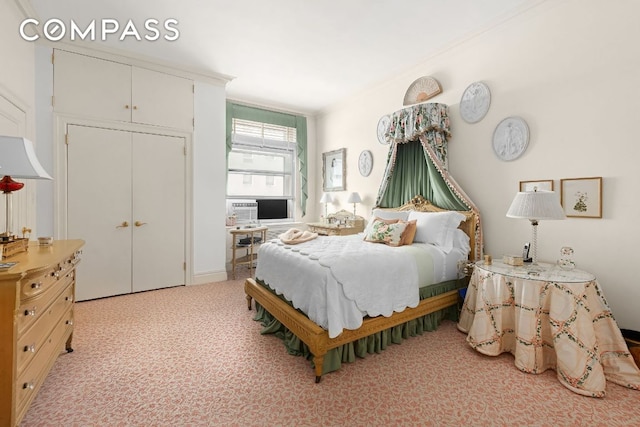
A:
(337, 281)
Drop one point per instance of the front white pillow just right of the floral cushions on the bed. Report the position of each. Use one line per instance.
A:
(436, 228)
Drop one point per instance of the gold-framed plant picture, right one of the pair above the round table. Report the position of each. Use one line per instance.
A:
(581, 197)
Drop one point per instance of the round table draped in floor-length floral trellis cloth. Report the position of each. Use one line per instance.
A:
(550, 319)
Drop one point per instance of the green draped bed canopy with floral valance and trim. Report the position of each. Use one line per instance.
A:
(417, 162)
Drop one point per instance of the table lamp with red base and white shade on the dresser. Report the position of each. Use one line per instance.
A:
(18, 160)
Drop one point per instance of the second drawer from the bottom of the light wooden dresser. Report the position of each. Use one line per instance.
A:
(34, 338)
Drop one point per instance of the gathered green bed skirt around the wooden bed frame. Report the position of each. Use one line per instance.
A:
(375, 343)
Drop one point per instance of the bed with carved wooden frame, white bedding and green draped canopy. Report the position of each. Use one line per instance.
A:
(337, 318)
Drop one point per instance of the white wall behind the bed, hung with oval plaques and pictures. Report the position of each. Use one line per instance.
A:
(569, 68)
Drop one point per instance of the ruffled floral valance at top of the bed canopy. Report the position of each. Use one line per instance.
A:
(428, 122)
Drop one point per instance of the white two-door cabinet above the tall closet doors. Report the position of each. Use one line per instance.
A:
(107, 90)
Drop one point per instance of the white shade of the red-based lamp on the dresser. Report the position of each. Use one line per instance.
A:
(18, 159)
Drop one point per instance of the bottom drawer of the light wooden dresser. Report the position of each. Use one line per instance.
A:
(28, 383)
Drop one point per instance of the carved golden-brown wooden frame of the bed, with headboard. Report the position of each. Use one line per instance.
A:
(317, 338)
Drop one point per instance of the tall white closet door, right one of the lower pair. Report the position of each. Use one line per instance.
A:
(158, 211)
